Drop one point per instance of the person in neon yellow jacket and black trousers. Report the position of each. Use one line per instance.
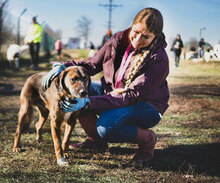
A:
(33, 39)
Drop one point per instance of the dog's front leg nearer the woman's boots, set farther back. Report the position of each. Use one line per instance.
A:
(68, 131)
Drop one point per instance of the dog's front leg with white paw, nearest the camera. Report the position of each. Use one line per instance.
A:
(55, 130)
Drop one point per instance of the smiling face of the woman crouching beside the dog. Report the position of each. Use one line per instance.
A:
(140, 37)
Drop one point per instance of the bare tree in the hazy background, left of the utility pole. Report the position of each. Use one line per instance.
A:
(83, 28)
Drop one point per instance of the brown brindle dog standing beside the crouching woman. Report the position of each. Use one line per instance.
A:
(73, 82)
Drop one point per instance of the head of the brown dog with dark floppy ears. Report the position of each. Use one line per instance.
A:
(74, 82)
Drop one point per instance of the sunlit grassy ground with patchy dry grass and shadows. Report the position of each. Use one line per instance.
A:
(187, 149)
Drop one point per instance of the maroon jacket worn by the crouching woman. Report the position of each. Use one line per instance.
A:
(149, 84)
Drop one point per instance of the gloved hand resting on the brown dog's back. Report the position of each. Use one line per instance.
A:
(50, 76)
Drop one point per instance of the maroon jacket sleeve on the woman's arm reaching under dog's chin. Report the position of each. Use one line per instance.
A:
(141, 88)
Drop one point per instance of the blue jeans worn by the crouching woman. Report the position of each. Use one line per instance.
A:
(121, 124)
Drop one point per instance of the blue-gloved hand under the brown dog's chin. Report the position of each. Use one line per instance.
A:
(74, 104)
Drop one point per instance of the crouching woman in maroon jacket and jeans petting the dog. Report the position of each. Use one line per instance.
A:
(133, 93)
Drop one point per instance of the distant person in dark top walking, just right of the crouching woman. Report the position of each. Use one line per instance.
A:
(177, 49)
